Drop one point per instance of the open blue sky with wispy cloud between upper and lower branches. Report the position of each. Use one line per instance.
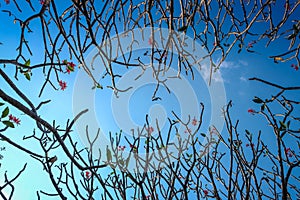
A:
(234, 74)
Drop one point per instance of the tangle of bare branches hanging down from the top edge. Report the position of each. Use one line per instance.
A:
(219, 27)
